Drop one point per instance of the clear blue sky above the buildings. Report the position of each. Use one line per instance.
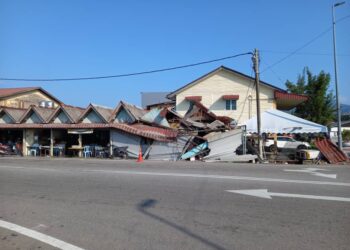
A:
(59, 39)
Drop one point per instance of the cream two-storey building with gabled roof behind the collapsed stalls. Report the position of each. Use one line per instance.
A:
(226, 92)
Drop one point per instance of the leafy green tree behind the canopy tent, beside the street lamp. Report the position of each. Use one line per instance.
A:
(320, 106)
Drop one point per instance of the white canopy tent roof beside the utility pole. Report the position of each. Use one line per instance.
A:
(276, 121)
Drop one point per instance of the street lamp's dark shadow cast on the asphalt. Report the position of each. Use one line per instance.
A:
(145, 204)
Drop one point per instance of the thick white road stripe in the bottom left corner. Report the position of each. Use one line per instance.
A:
(38, 236)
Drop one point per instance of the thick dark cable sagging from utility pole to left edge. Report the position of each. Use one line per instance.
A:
(124, 75)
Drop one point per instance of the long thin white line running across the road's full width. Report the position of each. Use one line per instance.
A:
(226, 177)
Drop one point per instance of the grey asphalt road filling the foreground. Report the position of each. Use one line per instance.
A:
(109, 204)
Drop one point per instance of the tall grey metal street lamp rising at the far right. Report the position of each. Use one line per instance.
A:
(336, 77)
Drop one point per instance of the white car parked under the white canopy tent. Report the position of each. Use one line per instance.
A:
(285, 142)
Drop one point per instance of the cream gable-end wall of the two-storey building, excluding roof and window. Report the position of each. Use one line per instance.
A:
(222, 83)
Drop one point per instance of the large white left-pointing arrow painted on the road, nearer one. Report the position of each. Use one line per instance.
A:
(264, 193)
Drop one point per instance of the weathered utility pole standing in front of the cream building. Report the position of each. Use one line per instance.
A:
(256, 62)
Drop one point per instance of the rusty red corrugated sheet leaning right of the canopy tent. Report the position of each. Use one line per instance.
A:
(330, 151)
